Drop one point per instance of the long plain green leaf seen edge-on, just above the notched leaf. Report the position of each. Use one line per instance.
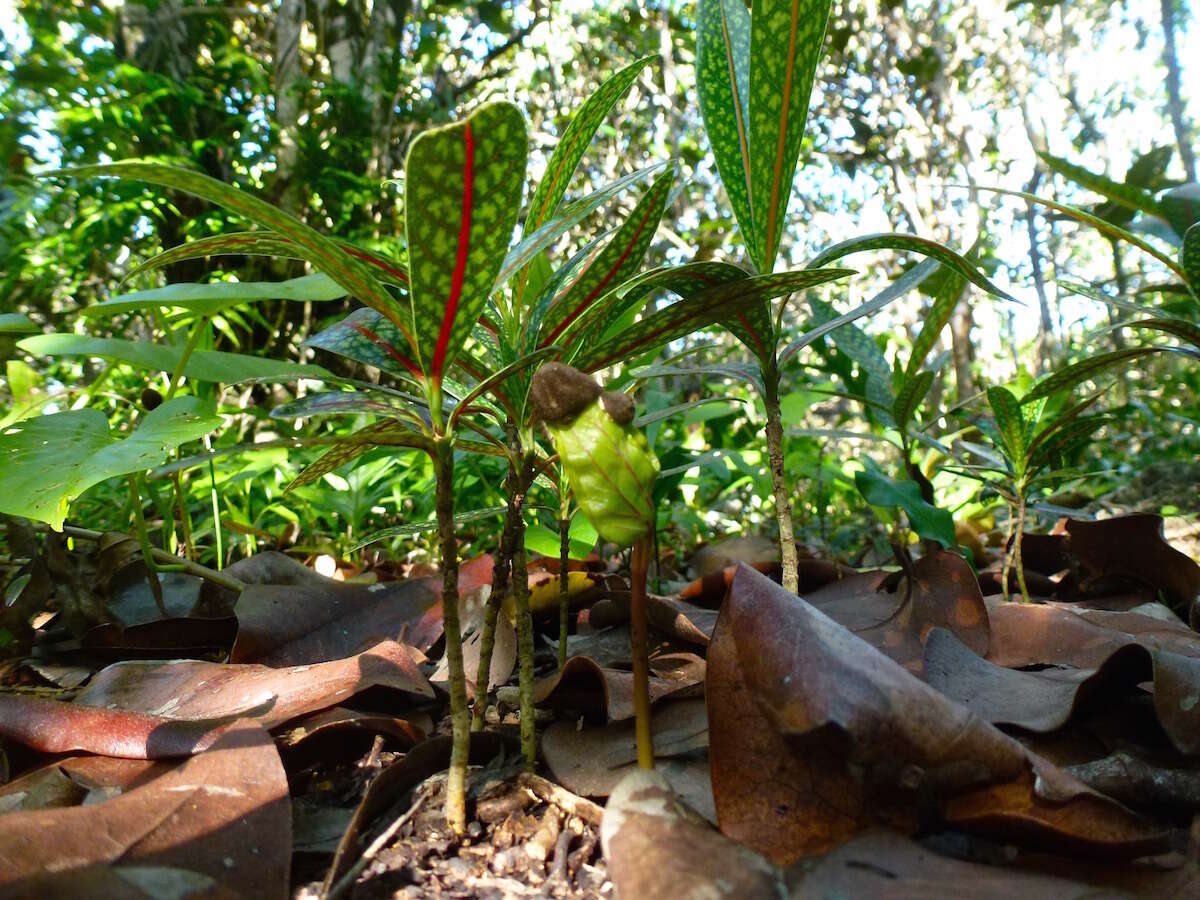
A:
(202, 365)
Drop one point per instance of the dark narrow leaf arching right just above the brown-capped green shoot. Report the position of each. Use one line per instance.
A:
(717, 304)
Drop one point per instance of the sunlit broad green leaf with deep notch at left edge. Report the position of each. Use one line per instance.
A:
(49, 461)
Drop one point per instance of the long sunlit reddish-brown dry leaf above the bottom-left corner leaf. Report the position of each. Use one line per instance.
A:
(197, 691)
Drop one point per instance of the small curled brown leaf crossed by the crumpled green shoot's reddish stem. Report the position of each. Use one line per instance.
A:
(608, 694)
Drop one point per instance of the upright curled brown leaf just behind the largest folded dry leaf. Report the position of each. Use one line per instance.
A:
(943, 592)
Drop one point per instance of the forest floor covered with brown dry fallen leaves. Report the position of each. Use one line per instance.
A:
(904, 730)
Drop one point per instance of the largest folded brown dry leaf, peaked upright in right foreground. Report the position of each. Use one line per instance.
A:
(815, 735)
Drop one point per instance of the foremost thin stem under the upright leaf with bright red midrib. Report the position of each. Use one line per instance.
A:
(460, 717)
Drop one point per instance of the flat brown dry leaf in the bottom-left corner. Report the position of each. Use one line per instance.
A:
(224, 814)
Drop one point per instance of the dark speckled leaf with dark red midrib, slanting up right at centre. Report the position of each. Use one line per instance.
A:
(615, 263)
